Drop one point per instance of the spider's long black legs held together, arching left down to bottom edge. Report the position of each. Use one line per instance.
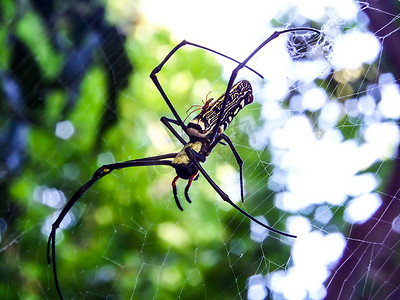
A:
(100, 172)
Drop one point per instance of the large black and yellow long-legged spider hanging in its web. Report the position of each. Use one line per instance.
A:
(204, 131)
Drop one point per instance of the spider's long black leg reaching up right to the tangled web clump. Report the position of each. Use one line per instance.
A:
(243, 65)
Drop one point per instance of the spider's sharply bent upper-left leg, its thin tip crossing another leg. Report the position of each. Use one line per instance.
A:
(153, 75)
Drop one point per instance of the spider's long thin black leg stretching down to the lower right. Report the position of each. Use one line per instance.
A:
(226, 198)
